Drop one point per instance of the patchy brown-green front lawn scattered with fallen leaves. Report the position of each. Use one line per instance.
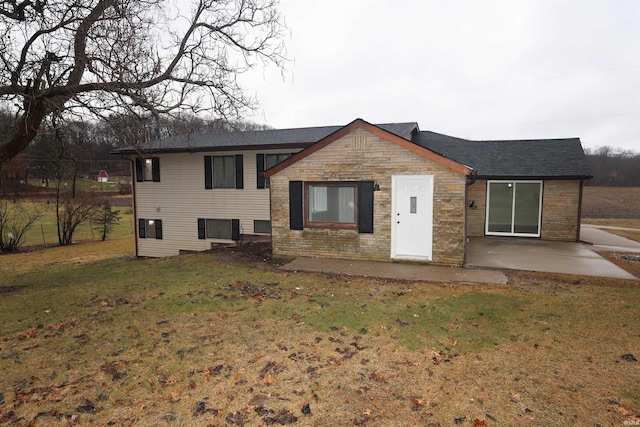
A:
(203, 339)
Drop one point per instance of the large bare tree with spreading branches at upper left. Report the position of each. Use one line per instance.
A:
(144, 57)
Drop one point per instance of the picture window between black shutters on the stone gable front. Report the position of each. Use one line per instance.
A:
(329, 203)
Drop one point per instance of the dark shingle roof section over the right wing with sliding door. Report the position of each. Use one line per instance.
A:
(541, 158)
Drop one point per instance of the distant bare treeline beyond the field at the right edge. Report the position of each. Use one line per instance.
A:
(613, 168)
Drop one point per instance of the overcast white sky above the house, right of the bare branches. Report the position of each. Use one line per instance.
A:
(474, 69)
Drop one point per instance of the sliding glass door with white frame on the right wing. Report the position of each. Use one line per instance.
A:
(514, 208)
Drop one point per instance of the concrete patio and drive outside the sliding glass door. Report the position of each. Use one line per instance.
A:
(555, 257)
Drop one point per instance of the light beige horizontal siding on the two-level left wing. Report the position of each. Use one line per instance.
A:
(180, 198)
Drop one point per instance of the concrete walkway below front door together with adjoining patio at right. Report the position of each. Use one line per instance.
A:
(487, 256)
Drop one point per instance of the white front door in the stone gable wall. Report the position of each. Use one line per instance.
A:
(412, 217)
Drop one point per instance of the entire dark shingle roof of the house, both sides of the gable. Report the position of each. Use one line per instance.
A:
(540, 158)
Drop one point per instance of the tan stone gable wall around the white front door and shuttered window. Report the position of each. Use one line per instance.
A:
(361, 155)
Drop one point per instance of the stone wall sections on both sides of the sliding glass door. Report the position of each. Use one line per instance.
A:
(560, 205)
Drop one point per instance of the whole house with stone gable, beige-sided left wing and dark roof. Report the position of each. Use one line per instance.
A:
(360, 191)
